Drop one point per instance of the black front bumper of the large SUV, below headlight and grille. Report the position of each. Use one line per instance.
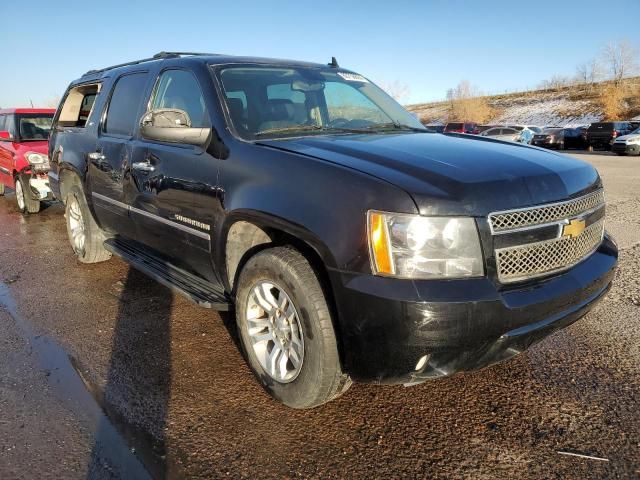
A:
(403, 331)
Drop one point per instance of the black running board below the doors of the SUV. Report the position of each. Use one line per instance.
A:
(193, 287)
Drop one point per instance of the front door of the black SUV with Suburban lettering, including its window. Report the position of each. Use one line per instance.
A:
(174, 184)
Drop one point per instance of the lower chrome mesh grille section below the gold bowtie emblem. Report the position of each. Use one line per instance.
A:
(542, 258)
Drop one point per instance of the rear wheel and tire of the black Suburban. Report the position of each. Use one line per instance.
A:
(86, 238)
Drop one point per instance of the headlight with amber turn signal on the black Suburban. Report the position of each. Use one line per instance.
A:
(412, 246)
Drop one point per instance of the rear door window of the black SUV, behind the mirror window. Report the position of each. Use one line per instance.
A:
(124, 106)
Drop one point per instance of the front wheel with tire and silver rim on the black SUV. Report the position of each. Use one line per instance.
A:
(286, 329)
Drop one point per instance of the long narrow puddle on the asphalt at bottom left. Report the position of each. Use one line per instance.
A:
(114, 441)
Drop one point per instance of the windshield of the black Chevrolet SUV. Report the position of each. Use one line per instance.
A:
(266, 102)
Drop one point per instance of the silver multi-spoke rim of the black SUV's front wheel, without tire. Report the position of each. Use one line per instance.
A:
(274, 331)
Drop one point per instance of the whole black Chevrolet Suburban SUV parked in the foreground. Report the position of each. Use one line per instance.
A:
(351, 243)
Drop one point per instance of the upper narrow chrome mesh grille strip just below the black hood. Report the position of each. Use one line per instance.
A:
(528, 217)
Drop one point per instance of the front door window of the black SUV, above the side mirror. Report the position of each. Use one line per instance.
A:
(179, 89)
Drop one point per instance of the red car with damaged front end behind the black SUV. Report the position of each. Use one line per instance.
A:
(24, 139)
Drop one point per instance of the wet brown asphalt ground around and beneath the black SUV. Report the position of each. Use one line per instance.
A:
(106, 374)
